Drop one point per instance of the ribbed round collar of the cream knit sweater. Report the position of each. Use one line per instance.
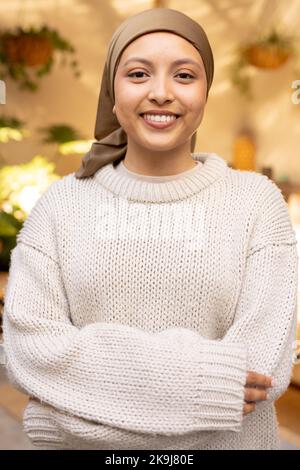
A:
(143, 188)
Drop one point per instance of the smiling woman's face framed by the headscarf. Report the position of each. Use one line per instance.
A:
(160, 84)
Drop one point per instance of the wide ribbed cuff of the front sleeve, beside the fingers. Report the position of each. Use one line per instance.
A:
(222, 378)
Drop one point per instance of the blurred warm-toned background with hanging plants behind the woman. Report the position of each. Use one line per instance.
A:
(52, 53)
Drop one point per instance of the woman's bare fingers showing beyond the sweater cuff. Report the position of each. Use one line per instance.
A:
(253, 394)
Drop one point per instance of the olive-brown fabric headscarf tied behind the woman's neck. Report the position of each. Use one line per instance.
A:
(111, 139)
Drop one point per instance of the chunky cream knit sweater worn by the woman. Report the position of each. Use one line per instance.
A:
(135, 306)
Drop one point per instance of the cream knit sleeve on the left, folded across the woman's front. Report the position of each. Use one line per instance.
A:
(107, 373)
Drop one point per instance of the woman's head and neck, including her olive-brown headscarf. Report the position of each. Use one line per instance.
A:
(158, 61)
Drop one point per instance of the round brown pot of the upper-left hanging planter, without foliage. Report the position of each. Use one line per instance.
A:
(28, 49)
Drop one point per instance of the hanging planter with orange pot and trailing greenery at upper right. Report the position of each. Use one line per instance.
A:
(267, 53)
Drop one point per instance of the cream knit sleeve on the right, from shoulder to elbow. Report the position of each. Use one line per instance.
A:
(265, 317)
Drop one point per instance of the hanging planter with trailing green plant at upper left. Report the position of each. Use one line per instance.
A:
(27, 55)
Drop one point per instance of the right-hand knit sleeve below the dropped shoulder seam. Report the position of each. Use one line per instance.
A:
(266, 315)
